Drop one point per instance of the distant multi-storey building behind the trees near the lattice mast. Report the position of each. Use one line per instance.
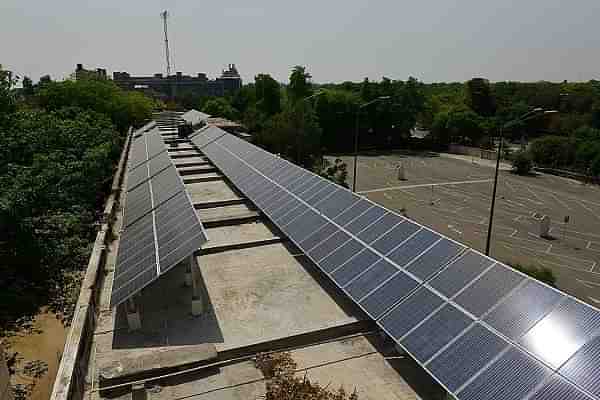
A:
(180, 85)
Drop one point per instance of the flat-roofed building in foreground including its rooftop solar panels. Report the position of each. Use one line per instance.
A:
(360, 296)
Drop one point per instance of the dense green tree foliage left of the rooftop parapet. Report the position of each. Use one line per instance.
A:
(57, 157)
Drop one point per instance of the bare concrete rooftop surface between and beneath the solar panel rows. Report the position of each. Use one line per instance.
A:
(259, 294)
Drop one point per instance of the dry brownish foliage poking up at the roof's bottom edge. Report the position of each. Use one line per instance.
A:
(280, 369)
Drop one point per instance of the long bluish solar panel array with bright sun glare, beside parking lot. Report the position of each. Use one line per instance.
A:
(481, 329)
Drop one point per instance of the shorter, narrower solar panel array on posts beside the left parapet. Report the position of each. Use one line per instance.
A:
(160, 224)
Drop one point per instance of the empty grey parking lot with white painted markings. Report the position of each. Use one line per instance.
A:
(453, 195)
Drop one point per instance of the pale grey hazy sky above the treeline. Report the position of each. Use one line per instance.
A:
(443, 40)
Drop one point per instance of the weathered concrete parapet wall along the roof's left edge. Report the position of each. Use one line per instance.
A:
(70, 379)
